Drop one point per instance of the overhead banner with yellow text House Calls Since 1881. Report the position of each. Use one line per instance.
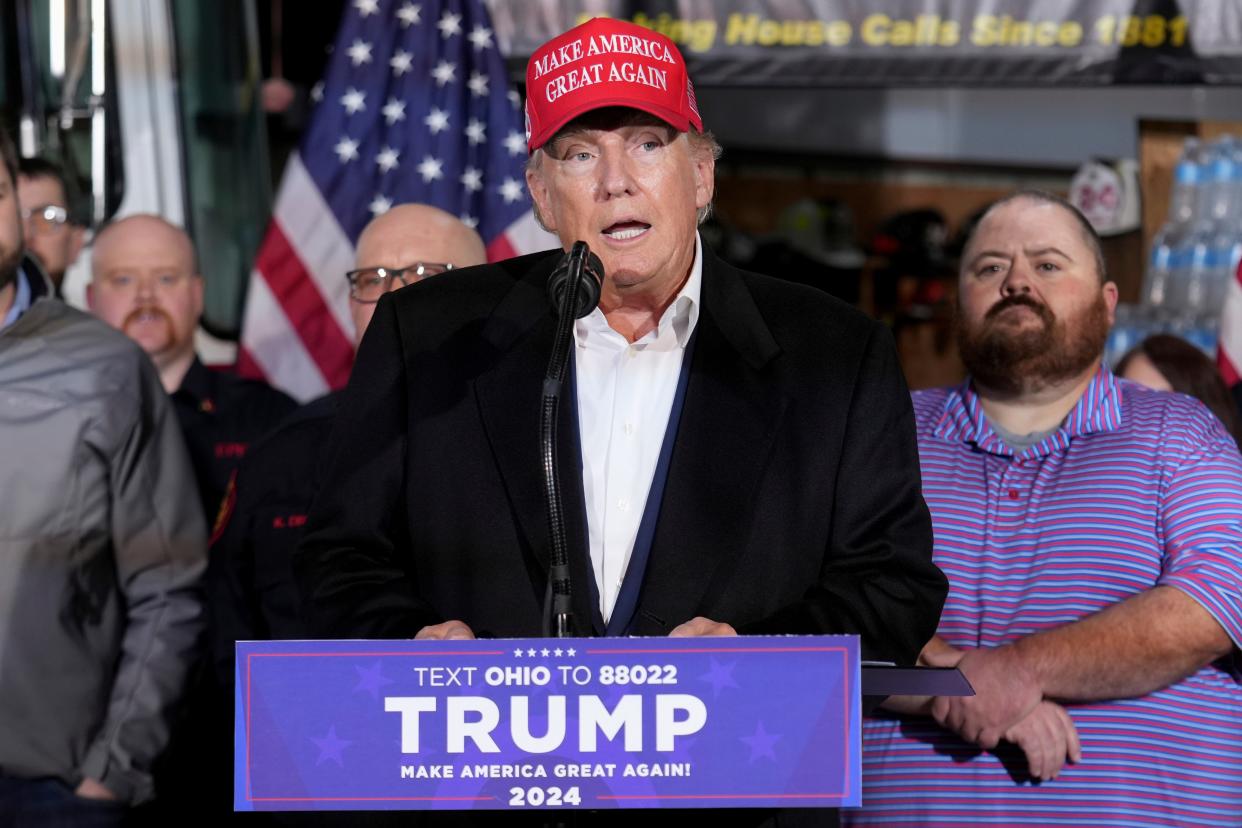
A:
(915, 43)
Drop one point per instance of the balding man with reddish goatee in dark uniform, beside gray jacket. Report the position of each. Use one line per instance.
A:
(145, 282)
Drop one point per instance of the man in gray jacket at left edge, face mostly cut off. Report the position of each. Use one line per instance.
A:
(102, 547)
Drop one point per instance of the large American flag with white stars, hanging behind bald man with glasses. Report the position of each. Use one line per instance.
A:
(415, 107)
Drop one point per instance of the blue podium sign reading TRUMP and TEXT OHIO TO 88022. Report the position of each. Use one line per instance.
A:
(531, 724)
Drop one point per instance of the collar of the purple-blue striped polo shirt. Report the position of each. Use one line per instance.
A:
(1099, 410)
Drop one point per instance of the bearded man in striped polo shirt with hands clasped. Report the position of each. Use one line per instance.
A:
(1092, 534)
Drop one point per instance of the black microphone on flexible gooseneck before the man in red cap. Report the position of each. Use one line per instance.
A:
(574, 291)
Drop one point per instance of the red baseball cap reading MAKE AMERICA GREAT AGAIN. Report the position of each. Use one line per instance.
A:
(607, 63)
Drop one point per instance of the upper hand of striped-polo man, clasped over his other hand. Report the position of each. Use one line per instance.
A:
(1005, 693)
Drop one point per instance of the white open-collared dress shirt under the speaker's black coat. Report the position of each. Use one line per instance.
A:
(625, 395)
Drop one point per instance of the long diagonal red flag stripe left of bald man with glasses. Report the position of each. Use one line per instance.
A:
(304, 305)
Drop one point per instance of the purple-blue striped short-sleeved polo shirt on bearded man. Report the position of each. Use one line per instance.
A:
(1138, 488)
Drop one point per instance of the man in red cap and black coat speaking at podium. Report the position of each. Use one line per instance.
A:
(742, 454)
